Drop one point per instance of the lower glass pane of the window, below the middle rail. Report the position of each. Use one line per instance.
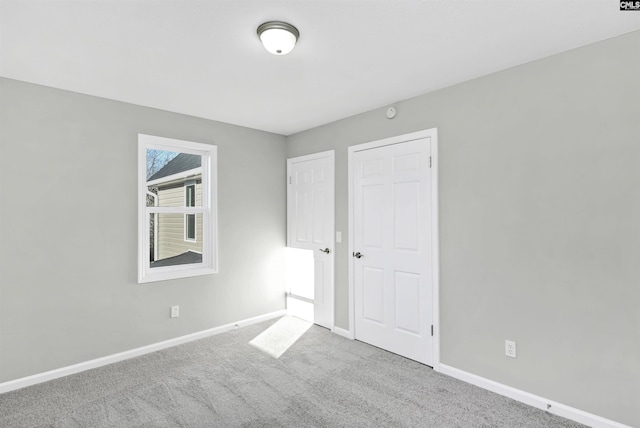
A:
(168, 243)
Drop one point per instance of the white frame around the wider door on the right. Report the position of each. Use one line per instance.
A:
(433, 135)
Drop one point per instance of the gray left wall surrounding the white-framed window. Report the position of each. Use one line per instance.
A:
(68, 247)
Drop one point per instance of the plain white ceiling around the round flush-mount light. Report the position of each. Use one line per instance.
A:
(203, 58)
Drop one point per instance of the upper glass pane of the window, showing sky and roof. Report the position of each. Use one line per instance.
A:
(174, 179)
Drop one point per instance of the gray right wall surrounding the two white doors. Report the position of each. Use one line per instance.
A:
(539, 221)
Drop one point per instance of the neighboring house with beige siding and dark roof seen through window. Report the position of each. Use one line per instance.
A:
(176, 238)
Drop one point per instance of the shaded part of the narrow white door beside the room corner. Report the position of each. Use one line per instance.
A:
(310, 222)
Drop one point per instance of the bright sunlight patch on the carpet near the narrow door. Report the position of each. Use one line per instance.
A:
(281, 335)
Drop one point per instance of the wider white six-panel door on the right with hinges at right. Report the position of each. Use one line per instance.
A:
(392, 243)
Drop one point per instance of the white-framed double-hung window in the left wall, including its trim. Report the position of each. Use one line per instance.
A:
(177, 208)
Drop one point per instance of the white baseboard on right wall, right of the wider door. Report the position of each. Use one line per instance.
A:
(550, 406)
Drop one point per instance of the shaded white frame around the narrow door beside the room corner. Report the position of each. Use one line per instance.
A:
(330, 154)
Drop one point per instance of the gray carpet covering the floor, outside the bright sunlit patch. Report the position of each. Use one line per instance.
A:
(323, 380)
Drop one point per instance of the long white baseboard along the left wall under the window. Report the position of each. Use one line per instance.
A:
(110, 359)
